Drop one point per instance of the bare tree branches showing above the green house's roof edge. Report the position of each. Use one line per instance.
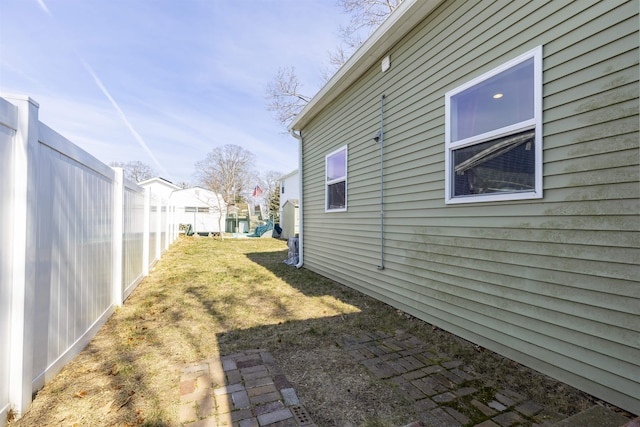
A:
(283, 92)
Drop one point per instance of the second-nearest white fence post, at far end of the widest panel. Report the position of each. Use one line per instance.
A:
(118, 223)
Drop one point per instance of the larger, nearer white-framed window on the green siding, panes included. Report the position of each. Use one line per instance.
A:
(494, 134)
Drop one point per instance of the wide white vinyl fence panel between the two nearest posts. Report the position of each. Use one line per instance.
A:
(74, 219)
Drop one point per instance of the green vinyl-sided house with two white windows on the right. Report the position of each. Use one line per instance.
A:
(476, 165)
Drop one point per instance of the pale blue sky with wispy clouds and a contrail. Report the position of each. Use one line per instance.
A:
(165, 81)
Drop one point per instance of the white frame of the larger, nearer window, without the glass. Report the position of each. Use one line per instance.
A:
(534, 124)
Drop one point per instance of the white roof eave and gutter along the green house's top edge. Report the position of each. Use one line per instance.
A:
(397, 25)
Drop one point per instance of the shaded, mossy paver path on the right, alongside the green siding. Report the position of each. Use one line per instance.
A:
(444, 392)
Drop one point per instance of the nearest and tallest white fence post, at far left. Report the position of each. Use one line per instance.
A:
(24, 255)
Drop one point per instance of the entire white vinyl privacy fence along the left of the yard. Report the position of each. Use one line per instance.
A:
(75, 240)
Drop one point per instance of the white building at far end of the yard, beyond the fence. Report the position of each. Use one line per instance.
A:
(203, 209)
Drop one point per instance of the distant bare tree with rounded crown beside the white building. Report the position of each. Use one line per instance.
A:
(227, 170)
